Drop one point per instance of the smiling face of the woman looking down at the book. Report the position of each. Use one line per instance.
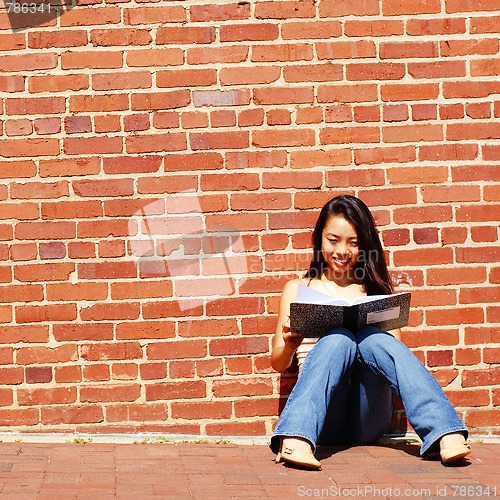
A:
(340, 247)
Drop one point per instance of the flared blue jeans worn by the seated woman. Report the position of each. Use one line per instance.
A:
(344, 393)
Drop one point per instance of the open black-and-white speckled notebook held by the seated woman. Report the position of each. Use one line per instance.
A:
(314, 313)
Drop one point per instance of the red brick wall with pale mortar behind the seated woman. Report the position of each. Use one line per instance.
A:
(161, 167)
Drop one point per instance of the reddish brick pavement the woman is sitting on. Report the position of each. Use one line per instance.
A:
(225, 471)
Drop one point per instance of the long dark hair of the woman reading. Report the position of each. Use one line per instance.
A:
(371, 268)
